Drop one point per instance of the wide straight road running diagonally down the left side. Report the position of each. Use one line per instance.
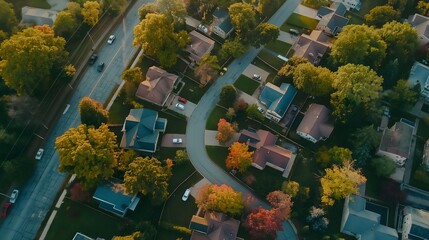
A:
(36, 197)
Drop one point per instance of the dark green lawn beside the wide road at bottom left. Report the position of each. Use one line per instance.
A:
(75, 217)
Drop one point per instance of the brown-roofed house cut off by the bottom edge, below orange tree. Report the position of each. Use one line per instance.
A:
(220, 227)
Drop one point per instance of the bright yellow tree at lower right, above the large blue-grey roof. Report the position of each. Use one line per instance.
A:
(339, 182)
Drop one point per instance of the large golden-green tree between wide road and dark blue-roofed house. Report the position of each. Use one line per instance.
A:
(87, 152)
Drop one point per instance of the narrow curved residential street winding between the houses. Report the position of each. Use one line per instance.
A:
(197, 122)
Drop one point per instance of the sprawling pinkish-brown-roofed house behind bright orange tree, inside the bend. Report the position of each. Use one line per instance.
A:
(266, 152)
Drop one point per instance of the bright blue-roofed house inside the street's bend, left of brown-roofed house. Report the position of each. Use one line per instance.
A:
(277, 100)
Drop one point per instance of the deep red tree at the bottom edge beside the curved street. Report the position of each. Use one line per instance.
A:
(263, 224)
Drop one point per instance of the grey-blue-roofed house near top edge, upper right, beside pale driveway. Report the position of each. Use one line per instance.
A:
(332, 20)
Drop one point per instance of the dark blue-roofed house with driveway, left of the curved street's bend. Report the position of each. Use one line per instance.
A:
(141, 130)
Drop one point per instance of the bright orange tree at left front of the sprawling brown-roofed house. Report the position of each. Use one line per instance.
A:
(239, 157)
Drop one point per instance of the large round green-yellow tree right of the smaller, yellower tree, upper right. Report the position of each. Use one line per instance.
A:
(357, 88)
